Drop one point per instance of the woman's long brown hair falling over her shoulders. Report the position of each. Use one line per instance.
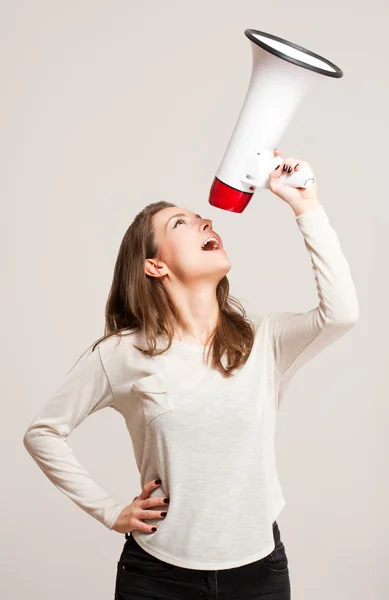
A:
(140, 302)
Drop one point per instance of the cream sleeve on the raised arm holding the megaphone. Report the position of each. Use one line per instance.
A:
(298, 337)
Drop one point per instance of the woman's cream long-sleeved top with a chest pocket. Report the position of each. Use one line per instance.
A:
(209, 439)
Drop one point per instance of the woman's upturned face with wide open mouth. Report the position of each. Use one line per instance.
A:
(180, 240)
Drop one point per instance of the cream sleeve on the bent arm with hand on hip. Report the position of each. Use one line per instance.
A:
(84, 391)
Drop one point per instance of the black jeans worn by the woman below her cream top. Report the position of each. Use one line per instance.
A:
(143, 576)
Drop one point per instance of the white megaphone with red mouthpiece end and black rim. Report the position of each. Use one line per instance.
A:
(275, 91)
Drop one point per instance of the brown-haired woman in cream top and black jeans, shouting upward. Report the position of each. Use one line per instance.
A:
(198, 385)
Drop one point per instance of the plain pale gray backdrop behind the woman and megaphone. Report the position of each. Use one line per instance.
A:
(107, 106)
